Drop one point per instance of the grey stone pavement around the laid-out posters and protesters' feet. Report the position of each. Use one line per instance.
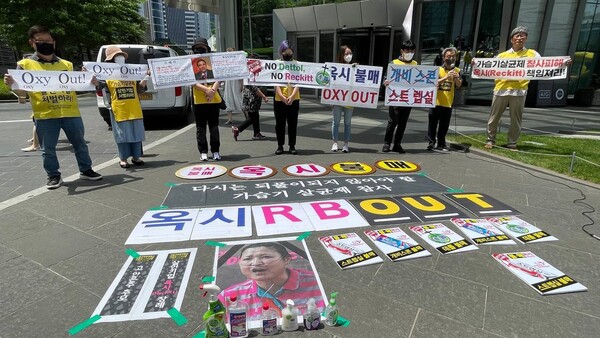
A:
(60, 250)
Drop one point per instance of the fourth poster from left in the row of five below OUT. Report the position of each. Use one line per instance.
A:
(481, 232)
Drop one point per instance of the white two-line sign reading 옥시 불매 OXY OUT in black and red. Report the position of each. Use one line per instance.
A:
(352, 85)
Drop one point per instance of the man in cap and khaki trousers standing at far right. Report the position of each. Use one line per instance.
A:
(510, 93)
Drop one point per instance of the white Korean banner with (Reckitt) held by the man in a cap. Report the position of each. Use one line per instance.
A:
(542, 68)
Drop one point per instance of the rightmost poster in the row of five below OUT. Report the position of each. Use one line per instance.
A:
(521, 230)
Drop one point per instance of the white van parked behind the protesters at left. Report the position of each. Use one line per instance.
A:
(171, 103)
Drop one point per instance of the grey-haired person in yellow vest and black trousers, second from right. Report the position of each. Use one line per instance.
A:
(449, 79)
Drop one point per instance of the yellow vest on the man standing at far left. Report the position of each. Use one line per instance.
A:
(51, 105)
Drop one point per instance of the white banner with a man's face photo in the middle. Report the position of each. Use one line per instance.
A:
(190, 69)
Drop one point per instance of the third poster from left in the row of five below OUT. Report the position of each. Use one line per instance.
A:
(442, 238)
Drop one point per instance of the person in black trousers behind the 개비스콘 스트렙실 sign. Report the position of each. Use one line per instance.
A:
(398, 116)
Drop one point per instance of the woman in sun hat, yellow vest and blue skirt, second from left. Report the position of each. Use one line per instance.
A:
(126, 115)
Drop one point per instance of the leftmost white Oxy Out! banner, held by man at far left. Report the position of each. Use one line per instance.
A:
(44, 80)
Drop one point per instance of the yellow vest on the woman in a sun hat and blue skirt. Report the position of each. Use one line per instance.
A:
(124, 100)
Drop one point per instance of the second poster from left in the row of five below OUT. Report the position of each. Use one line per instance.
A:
(396, 244)
